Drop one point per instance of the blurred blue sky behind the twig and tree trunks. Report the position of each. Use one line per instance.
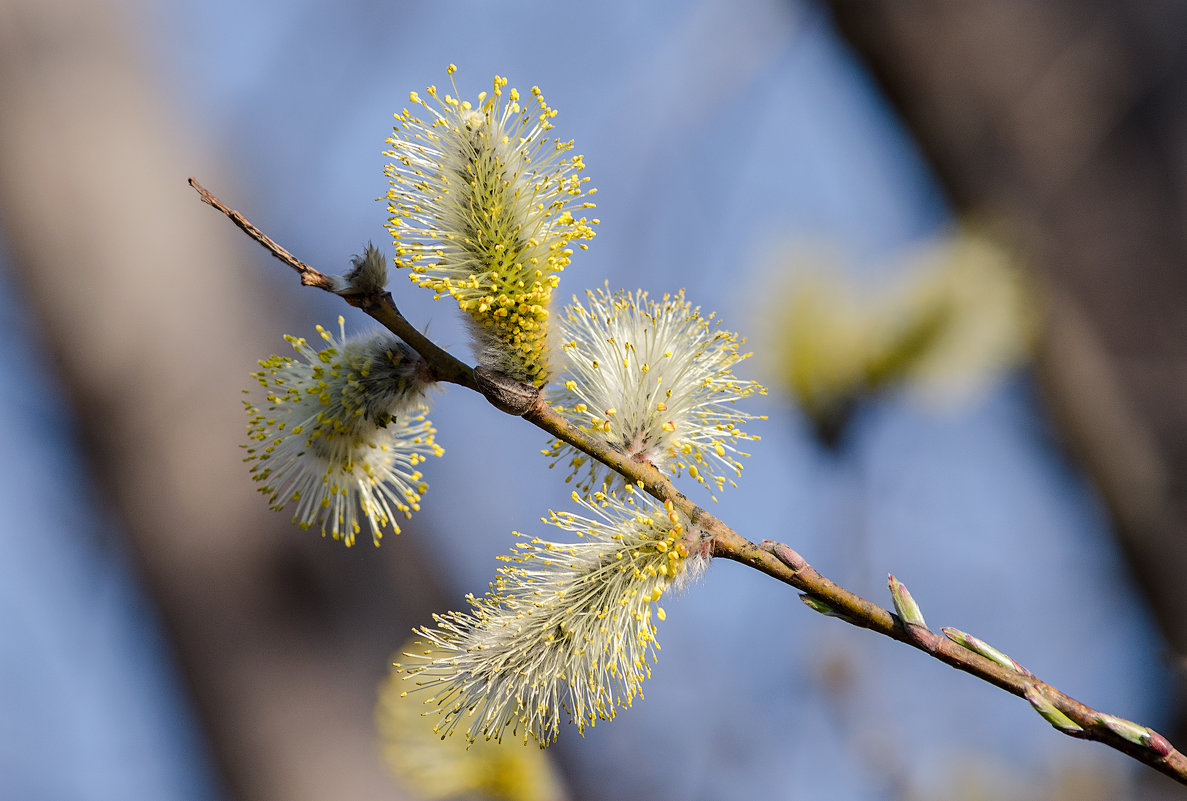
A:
(719, 135)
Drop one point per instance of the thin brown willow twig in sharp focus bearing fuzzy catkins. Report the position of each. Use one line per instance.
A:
(775, 560)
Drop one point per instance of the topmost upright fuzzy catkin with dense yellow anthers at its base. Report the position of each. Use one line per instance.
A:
(484, 208)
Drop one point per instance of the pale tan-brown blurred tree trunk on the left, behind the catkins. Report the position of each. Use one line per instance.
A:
(155, 322)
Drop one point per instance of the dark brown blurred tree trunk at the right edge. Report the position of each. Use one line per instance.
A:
(1067, 123)
